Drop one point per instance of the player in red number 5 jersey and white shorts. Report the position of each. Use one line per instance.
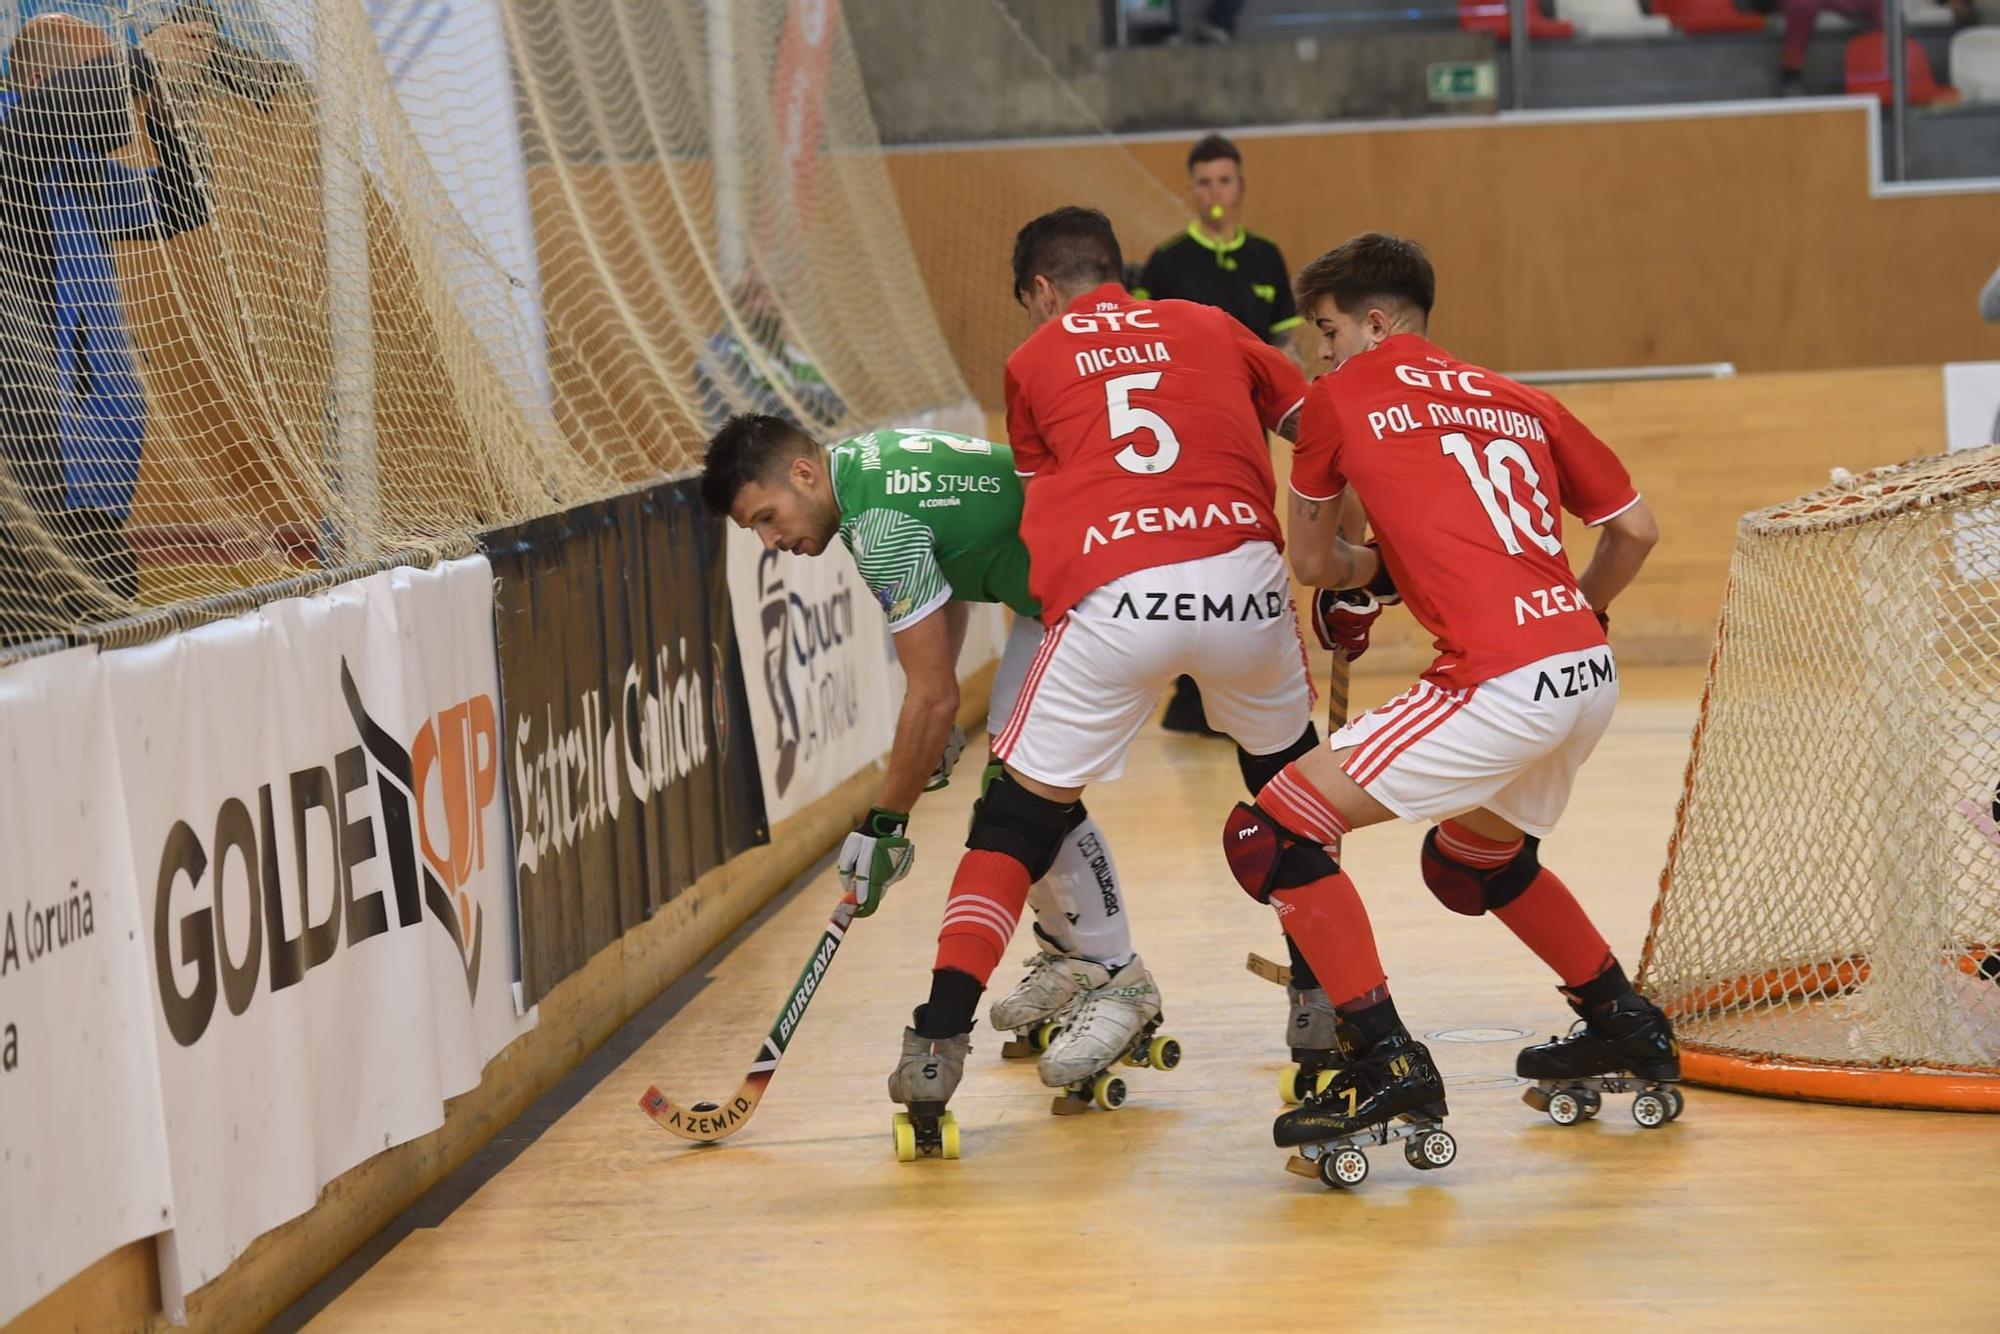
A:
(1155, 551)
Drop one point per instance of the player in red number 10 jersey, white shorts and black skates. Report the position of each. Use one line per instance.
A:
(1465, 477)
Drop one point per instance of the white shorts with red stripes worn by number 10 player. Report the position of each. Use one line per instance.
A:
(1511, 745)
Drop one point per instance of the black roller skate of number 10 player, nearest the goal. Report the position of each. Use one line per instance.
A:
(1625, 1047)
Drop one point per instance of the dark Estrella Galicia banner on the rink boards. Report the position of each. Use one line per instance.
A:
(625, 727)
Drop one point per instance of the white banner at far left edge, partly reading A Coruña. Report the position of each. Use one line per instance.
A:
(83, 1135)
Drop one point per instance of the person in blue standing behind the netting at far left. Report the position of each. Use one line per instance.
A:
(73, 413)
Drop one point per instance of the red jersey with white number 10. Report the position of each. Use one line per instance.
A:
(1465, 477)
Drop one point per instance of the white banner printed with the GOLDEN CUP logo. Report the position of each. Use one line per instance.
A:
(319, 835)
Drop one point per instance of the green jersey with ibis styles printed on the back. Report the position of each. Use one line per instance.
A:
(933, 517)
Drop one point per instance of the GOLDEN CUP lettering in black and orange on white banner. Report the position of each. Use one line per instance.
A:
(221, 897)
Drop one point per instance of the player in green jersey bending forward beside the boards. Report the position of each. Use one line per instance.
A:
(933, 521)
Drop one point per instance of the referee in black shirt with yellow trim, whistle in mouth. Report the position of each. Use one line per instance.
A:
(1221, 265)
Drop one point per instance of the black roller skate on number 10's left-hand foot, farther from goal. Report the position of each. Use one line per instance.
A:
(1389, 1093)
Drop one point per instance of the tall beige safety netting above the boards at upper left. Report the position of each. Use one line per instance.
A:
(333, 283)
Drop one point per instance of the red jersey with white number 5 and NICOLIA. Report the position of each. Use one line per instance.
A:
(1143, 427)
